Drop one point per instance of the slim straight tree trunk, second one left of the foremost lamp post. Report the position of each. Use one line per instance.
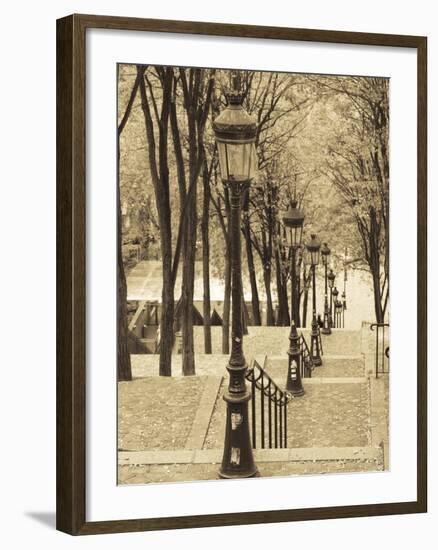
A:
(206, 261)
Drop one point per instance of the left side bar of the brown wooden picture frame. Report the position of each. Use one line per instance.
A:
(70, 276)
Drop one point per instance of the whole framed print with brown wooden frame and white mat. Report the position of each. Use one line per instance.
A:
(234, 204)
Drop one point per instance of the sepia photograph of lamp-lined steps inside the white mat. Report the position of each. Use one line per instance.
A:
(253, 332)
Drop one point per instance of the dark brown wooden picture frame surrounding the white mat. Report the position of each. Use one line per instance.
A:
(71, 274)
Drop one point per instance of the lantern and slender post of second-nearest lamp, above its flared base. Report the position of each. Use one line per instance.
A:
(293, 220)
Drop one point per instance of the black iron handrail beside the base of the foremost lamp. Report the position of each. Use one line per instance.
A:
(268, 409)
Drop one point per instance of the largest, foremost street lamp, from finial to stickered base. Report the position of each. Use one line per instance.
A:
(235, 132)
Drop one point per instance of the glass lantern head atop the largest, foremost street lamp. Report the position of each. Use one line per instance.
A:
(235, 131)
